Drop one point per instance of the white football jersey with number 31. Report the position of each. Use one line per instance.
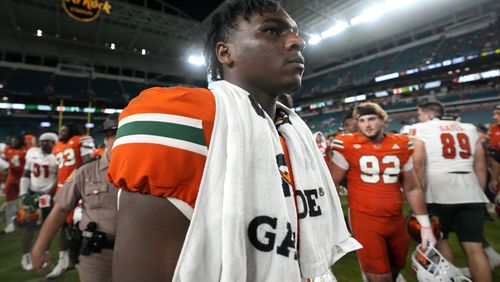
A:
(43, 168)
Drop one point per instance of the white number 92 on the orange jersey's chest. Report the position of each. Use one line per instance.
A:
(370, 169)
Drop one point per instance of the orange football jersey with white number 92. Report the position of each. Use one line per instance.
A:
(374, 170)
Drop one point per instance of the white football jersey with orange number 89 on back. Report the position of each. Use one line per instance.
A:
(450, 148)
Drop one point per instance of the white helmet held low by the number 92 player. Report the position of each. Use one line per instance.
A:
(430, 266)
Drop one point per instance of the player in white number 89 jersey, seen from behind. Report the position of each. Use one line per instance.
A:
(450, 160)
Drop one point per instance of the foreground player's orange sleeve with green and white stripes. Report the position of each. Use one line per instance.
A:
(162, 142)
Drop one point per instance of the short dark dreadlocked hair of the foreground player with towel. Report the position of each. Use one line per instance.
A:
(224, 23)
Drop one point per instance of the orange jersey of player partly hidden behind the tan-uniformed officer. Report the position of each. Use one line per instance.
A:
(69, 155)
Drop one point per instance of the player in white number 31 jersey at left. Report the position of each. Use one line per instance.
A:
(38, 181)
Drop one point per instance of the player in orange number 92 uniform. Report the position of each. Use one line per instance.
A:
(377, 165)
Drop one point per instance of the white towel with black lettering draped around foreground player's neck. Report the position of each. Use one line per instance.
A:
(244, 224)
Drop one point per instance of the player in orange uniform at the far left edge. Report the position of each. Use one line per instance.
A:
(15, 154)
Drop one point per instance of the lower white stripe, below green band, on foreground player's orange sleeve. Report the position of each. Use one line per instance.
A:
(159, 140)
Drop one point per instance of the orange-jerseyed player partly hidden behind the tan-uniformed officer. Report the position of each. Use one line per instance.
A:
(73, 150)
